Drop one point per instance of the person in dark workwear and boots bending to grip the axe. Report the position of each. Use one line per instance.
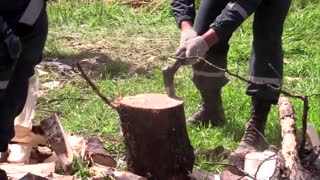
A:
(206, 35)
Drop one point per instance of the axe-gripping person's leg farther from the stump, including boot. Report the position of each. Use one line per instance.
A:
(266, 67)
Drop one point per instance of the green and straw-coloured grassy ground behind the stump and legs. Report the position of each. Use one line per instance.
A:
(130, 43)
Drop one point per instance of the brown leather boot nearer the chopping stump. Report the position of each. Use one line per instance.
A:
(210, 110)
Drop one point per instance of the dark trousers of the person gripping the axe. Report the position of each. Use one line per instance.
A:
(266, 60)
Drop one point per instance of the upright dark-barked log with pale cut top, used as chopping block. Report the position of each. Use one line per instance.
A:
(155, 136)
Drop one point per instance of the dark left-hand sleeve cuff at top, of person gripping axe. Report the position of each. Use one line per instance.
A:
(183, 10)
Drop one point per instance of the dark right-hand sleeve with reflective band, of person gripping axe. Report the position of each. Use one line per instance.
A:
(233, 15)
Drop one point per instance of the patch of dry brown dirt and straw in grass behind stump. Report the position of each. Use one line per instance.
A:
(114, 56)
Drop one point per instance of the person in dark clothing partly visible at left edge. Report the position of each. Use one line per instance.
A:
(23, 33)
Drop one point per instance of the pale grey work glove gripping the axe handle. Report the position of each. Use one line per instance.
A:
(194, 49)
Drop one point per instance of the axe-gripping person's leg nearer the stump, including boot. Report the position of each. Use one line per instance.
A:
(208, 80)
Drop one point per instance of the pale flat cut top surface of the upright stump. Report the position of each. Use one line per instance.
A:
(150, 101)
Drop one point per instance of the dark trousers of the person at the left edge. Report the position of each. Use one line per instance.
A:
(14, 95)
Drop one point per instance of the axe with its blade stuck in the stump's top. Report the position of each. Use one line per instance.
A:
(168, 75)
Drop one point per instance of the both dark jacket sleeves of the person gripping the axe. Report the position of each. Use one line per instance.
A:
(226, 23)
